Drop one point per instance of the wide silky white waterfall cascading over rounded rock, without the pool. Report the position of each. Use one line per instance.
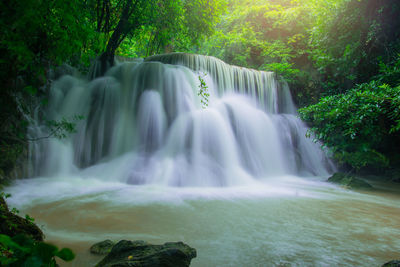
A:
(144, 124)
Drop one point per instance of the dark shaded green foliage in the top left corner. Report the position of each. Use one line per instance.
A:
(38, 31)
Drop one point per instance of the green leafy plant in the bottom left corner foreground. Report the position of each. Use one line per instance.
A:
(21, 250)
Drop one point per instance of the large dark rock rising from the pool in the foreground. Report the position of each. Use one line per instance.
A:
(142, 254)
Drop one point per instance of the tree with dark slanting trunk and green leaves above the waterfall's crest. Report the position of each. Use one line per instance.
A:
(162, 23)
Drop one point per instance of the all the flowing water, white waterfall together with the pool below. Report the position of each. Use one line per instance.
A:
(148, 162)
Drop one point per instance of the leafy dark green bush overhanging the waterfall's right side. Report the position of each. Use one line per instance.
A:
(362, 126)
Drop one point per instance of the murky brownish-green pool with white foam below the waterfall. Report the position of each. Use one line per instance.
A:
(282, 220)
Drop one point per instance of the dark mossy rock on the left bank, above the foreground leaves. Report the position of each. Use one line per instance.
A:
(12, 224)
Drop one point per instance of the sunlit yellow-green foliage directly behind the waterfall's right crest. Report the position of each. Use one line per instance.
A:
(271, 36)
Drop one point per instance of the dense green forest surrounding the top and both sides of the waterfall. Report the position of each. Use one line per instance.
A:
(341, 59)
